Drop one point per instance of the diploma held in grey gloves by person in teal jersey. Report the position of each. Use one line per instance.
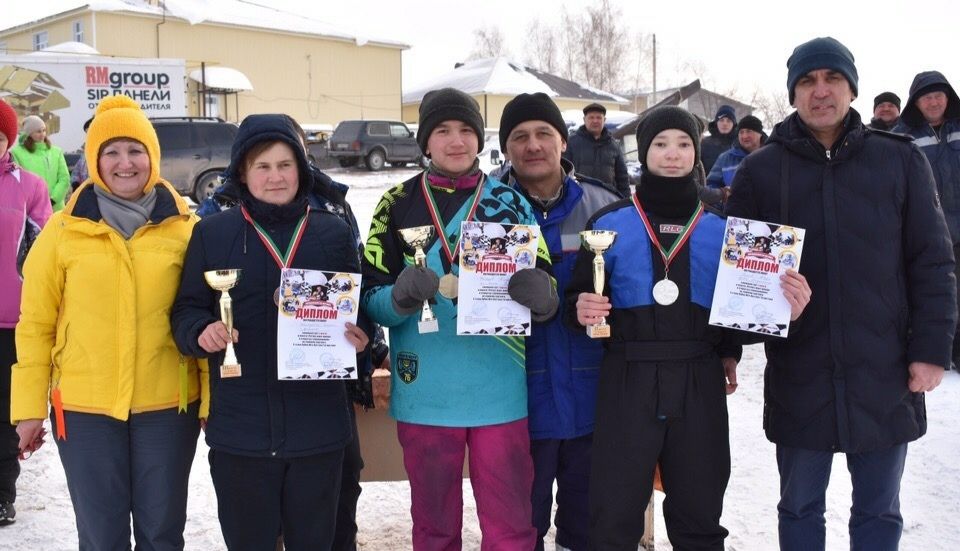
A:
(489, 254)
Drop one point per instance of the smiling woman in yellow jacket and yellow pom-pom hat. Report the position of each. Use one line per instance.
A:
(94, 338)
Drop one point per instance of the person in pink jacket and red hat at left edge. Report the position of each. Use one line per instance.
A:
(24, 209)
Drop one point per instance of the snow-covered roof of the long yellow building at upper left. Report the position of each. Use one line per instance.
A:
(232, 12)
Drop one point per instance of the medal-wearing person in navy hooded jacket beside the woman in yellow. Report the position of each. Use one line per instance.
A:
(276, 446)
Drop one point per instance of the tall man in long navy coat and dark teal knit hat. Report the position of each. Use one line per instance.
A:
(852, 374)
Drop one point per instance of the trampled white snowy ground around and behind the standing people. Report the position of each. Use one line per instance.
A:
(930, 498)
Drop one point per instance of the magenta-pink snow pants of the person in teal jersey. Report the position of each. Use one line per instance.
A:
(501, 473)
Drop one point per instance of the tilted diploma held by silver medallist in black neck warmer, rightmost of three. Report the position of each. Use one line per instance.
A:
(748, 294)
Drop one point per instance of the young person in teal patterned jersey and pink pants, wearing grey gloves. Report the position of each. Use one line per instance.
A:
(450, 392)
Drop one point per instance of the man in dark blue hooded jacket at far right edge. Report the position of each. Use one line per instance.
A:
(932, 119)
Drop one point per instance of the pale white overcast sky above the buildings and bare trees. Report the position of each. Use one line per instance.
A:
(742, 44)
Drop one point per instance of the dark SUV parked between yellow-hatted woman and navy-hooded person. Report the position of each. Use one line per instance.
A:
(193, 152)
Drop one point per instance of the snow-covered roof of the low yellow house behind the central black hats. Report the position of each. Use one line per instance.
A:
(500, 76)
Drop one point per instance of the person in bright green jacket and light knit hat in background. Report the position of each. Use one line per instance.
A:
(36, 154)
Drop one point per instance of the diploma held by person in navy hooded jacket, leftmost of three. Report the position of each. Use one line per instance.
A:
(314, 308)
